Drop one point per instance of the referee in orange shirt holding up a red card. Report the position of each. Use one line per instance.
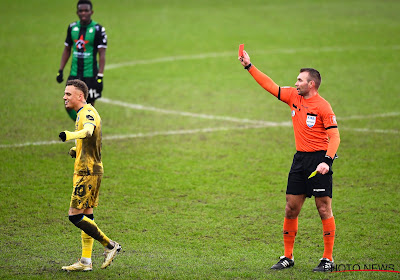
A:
(317, 140)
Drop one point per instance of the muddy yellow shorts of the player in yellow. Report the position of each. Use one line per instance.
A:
(85, 193)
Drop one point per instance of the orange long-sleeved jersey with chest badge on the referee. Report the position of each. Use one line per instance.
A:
(314, 122)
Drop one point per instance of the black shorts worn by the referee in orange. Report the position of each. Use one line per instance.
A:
(304, 163)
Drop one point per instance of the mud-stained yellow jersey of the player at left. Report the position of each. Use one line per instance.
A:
(88, 150)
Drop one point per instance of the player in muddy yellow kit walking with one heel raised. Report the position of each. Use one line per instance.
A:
(88, 172)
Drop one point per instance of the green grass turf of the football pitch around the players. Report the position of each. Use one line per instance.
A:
(206, 205)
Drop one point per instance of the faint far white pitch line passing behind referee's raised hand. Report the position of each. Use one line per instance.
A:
(234, 54)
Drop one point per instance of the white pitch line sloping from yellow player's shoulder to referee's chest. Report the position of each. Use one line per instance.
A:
(188, 114)
